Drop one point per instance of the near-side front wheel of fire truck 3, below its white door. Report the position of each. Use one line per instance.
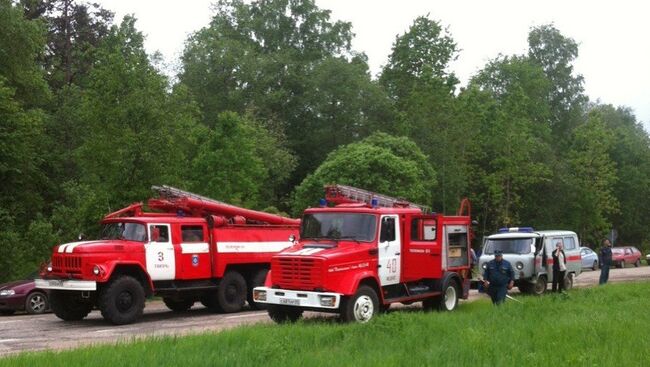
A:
(122, 301)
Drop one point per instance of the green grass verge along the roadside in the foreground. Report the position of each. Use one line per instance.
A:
(601, 326)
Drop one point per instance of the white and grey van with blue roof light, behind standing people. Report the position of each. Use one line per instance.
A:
(530, 253)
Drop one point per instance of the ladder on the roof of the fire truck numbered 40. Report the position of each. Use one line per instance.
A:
(342, 194)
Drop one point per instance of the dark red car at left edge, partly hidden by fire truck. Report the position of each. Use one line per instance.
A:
(22, 295)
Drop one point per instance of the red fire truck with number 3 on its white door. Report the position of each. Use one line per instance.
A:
(191, 249)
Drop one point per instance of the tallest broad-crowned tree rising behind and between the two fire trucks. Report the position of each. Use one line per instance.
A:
(286, 64)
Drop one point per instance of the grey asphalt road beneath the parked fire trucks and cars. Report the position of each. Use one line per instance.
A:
(20, 333)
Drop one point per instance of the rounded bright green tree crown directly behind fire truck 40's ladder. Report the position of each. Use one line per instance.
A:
(379, 163)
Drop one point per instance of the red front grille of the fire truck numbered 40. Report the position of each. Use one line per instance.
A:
(297, 273)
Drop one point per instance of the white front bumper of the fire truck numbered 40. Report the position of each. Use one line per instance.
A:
(284, 297)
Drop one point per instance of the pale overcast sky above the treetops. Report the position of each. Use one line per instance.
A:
(614, 36)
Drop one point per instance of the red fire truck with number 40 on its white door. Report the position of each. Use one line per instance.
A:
(367, 252)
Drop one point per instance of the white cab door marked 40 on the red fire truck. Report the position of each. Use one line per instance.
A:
(390, 247)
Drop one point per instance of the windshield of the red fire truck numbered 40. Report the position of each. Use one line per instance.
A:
(337, 226)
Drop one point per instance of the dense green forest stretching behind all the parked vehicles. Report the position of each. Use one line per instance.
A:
(272, 102)
